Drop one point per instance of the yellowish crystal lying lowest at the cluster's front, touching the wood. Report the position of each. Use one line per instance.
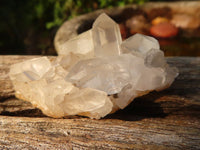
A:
(90, 102)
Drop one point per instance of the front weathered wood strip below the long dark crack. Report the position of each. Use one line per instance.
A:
(153, 133)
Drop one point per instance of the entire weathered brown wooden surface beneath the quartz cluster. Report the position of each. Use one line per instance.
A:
(169, 119)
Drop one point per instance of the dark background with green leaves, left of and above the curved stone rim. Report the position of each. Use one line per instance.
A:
(25, 23)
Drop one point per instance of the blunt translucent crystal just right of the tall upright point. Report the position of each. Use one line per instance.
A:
(139, 44)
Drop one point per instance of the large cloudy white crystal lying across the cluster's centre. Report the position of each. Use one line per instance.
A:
(109, 74)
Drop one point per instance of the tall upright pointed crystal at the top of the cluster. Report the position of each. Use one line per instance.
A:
(106, 37)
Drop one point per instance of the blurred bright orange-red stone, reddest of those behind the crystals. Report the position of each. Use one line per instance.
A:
(164, 30)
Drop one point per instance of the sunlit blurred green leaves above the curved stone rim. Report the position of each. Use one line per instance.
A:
(66, 9)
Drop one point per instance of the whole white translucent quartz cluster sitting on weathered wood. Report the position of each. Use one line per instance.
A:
(95, 73)
